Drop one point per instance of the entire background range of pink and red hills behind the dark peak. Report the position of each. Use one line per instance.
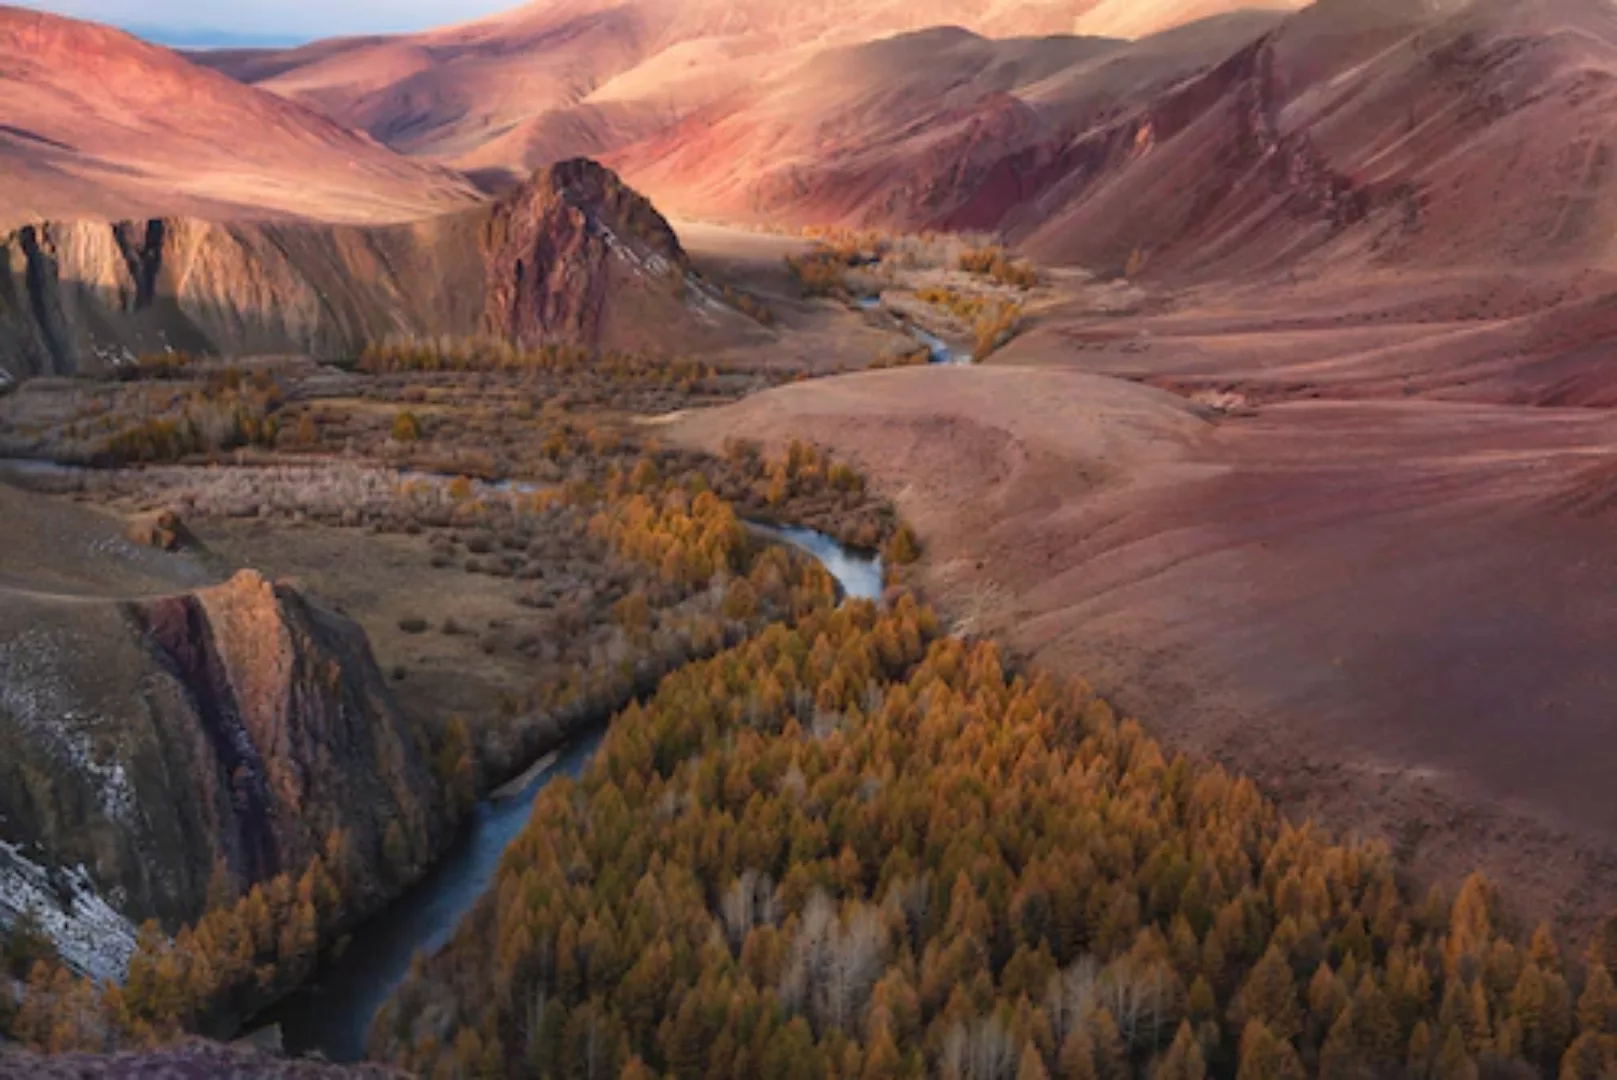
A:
(1340, 138)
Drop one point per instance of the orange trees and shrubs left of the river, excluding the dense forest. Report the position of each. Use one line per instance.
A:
(630, 562)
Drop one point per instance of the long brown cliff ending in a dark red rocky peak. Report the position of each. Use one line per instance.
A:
(573, 258)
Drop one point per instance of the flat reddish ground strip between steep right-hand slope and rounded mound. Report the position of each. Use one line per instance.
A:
(1490, 337)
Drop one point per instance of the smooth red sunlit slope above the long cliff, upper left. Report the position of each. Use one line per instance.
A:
(99, 124)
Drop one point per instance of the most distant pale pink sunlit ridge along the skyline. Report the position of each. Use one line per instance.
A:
(585, 77)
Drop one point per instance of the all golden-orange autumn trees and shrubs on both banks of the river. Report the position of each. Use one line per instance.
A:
(835, 842)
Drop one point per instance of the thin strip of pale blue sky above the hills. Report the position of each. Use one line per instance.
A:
(298, 20)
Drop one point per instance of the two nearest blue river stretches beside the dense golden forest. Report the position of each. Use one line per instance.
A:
(332, 1013)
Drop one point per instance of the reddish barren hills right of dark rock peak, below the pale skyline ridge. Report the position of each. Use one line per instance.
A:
(1382, 135)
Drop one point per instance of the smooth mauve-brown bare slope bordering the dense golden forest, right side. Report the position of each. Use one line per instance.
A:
(1391, 614)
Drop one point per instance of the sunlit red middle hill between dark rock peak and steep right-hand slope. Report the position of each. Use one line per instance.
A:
(914, 132)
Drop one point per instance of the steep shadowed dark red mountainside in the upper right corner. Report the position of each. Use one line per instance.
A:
(1361, 137)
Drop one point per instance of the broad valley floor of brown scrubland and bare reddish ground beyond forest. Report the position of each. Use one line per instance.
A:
(1239, 515)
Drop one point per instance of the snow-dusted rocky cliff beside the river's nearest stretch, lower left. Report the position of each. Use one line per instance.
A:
(150, 740)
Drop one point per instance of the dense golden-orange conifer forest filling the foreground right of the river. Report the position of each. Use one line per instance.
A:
(855, 848)
